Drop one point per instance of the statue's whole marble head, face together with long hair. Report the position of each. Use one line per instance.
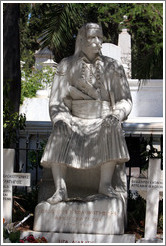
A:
(89, 38)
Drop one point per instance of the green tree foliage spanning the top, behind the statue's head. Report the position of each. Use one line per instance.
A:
(57, 25)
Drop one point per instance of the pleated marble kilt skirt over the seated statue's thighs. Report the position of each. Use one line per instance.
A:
(85, 147)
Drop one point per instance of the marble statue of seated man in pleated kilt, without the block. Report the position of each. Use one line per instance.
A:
(90, 97)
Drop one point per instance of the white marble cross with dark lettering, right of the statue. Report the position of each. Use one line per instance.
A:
(153, 185)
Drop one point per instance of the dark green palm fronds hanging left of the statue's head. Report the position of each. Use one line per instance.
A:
(60, 26)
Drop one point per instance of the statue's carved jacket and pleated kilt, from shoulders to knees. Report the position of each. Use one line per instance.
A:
(76, 141)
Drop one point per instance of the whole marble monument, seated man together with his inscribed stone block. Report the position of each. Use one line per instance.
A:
(89, 100)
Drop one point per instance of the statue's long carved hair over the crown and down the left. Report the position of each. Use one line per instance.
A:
(82, 35)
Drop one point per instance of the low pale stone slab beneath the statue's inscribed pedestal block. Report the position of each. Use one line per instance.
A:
(80, 238)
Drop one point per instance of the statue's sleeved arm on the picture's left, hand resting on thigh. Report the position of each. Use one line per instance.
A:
(57, 109)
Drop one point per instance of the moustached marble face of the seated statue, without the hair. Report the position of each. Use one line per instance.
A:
(93, 41)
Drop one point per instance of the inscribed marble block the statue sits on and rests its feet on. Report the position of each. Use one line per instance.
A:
(86, 212)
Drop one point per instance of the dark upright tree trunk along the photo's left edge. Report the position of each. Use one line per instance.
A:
(11, 56)
